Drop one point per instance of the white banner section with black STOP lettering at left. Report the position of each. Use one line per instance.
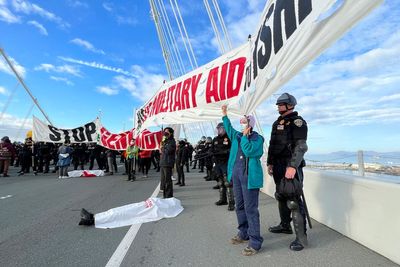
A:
(43, 132)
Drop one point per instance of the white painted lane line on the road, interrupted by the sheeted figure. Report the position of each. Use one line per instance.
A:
(119, 254)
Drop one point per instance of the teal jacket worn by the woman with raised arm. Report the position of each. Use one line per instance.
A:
(252, 147)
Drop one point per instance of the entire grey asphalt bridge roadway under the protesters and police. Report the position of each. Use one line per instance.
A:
(39, 218)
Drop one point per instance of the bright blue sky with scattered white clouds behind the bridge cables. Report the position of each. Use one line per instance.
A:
(82, 57)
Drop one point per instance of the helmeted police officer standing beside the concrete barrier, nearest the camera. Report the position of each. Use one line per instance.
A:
(285, 161)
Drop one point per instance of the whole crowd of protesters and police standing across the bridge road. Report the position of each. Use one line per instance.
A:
(232, 158)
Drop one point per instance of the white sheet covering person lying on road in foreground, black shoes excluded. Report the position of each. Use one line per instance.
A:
(153, 209)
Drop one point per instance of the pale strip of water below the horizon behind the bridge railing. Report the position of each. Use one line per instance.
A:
(383, 158)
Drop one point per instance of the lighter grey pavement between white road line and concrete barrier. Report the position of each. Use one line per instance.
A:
(200, 236)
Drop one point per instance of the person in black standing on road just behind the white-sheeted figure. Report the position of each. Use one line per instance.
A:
(167, 161)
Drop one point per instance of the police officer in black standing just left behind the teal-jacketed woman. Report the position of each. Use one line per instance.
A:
(221, 146)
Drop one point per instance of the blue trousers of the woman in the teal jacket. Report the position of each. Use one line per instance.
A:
(248, 217)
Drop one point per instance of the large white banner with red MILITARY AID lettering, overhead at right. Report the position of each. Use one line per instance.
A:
(291, 33)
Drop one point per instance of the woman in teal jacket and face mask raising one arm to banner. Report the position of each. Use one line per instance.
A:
(245, 171)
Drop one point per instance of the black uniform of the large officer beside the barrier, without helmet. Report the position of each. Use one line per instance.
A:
(287, 134)
